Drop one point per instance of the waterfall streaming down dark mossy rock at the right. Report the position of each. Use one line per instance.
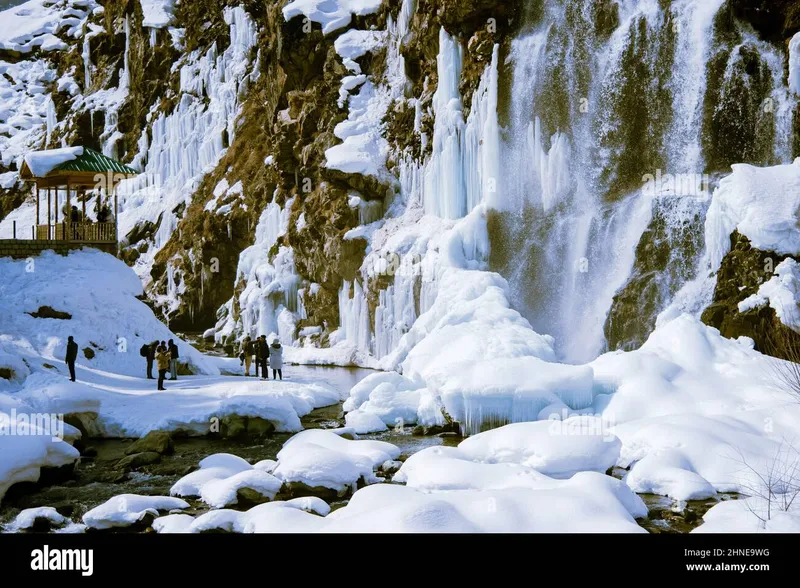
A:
(602, 98)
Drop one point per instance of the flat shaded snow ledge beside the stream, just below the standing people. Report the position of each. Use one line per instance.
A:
(129, 407)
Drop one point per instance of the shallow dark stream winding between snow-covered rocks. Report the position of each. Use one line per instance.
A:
(97, 479)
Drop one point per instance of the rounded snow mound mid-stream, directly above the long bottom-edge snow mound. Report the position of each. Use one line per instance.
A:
(324, 459)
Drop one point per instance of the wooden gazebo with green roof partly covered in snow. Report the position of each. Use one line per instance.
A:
(75, 170)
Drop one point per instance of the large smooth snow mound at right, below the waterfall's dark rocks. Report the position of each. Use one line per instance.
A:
(694, 411)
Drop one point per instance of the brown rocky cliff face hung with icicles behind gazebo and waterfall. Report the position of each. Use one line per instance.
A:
(285, 152)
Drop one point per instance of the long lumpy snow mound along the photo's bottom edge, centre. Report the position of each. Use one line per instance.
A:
(587, 503)
